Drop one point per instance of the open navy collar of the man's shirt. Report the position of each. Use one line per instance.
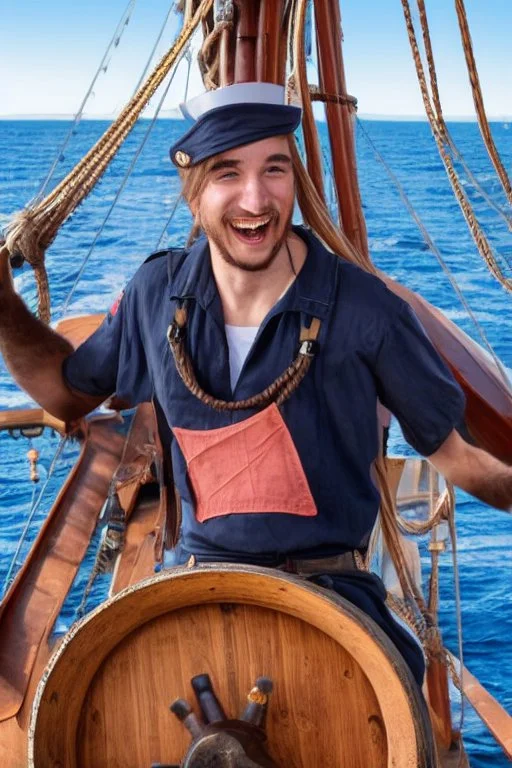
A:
(312, 292)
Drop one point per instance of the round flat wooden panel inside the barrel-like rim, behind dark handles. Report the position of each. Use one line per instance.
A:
(126, 721)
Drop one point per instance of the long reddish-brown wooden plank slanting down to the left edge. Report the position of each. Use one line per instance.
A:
(34, 600)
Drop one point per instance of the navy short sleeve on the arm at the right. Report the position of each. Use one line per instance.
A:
(416, 385)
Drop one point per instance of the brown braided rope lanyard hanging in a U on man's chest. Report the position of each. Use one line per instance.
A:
(277, 392)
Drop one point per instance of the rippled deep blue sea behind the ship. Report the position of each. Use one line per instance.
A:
(139, 223)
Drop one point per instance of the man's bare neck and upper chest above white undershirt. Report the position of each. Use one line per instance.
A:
(247, 297)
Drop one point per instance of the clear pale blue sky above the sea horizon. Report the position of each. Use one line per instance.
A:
(51, 48)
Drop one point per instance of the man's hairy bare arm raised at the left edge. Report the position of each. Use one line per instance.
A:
(34, 354)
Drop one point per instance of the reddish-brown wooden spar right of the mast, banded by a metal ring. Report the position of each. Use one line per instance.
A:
(339, 122)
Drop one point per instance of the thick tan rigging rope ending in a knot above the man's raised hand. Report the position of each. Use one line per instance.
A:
(32, 231)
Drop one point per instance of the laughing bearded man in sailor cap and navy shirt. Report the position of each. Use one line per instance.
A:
(265, 353)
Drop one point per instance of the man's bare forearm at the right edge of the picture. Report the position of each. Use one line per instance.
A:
(475, 471)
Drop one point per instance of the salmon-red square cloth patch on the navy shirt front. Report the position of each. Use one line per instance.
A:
(249, 467)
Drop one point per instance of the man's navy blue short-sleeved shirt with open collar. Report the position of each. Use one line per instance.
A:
(370, 346)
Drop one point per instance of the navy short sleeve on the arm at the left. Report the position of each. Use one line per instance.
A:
(113, 360)
